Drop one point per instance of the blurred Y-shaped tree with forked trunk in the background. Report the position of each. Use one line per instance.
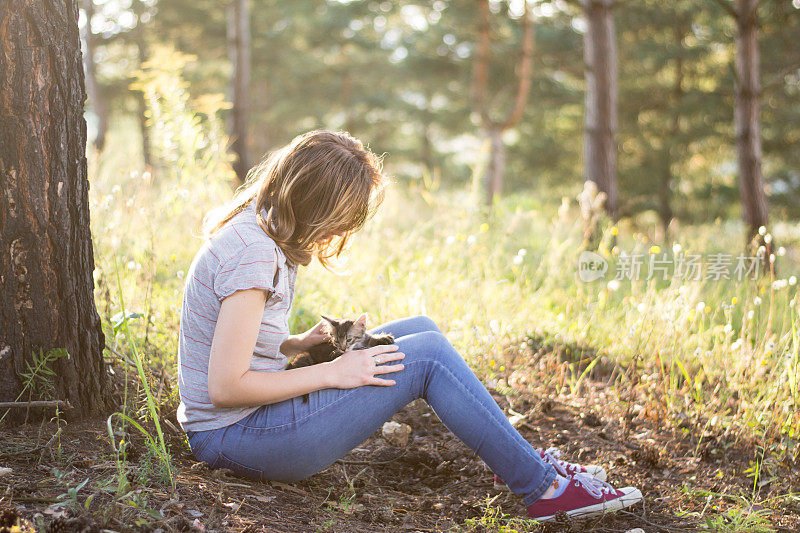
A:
(493, 129)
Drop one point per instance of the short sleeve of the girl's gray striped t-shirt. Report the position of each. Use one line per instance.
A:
(254, 267)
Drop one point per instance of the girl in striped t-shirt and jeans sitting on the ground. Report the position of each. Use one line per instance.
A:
(241, 408)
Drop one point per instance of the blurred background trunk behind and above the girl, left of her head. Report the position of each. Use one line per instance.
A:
(239, 54)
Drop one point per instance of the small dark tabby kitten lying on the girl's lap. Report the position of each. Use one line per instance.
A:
(344, 335)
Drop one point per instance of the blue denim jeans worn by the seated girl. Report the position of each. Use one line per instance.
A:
(291, 440)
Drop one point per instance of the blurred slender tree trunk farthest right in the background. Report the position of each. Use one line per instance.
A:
(748, 135)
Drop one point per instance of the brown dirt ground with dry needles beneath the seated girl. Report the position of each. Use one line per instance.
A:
(435, 483)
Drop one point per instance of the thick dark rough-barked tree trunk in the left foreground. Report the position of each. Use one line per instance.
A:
(47, 264)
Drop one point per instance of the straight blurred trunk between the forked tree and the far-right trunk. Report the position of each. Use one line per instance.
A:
(600, 127)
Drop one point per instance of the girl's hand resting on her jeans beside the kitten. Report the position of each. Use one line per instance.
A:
(359, 367)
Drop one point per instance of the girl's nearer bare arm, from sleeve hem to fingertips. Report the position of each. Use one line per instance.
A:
(231, 383)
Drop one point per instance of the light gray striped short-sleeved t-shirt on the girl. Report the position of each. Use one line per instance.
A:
(238, 256)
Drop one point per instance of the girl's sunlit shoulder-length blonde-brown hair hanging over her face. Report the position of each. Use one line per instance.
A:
(316, 191)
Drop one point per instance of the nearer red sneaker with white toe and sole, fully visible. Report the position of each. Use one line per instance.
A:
(585, 496)
